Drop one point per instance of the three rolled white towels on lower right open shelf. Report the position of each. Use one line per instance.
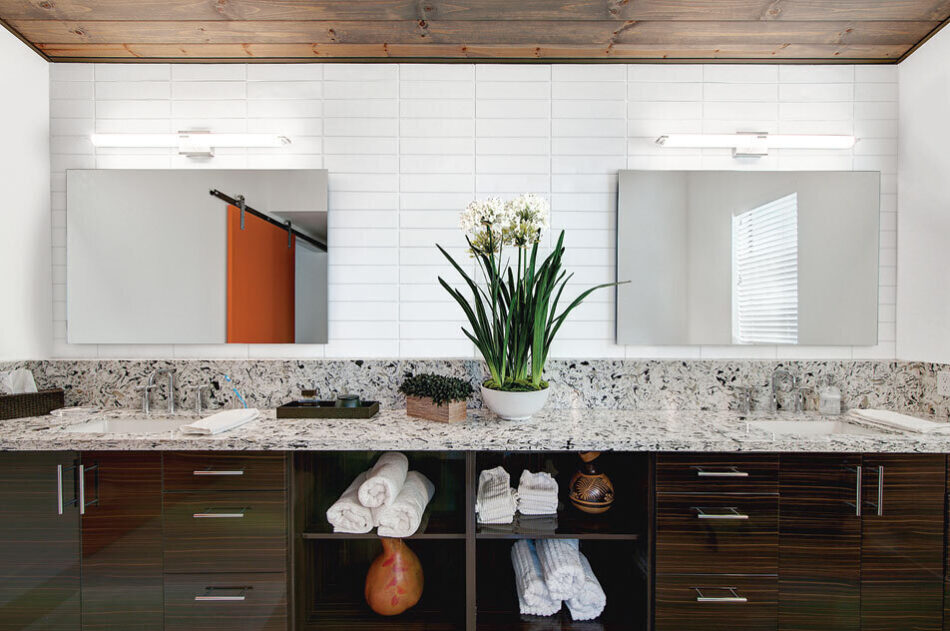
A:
(549, 571)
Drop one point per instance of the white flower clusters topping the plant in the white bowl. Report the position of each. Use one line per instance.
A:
(519, 221)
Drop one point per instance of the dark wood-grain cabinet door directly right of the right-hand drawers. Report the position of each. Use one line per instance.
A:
(820, 543)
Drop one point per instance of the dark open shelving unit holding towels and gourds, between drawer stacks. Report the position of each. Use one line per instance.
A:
(469, 582)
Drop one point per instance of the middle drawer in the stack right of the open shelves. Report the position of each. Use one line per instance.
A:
(736, 534)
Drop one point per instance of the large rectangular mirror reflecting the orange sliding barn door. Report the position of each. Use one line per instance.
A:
(196, 256)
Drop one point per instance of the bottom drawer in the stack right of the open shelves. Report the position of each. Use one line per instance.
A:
(716, 603)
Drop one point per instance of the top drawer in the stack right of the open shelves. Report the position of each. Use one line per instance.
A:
(726, 473)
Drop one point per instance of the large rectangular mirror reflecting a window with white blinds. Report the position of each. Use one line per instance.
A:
(748, 257)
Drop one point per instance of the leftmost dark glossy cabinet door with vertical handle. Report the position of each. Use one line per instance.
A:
(39, 547)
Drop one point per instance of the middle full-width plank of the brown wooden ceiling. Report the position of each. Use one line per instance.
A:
(473, 32)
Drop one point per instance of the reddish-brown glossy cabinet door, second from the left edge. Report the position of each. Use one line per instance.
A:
(122, 542)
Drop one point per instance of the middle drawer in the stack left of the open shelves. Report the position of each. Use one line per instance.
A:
(226, 532)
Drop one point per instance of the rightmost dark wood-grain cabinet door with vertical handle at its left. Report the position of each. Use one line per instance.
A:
(902, 542)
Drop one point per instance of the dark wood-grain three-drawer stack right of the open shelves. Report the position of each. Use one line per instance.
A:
(716, 542)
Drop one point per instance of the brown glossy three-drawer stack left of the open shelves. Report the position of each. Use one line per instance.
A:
(226, 545)
